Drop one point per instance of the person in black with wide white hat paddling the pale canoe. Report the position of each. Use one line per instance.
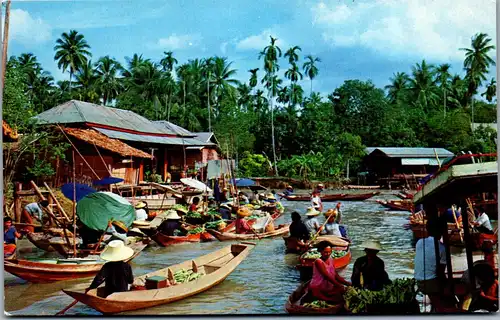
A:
(116, 273)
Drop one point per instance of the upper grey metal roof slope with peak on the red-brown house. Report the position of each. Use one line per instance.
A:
(75, 111)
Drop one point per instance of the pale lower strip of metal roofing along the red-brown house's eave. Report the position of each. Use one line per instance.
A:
(152, 139)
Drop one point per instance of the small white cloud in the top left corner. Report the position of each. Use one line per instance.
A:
(26, 29)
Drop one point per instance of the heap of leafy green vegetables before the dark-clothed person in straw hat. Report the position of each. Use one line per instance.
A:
(401, 291)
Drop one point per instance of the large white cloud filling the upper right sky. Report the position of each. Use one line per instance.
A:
(434, 29)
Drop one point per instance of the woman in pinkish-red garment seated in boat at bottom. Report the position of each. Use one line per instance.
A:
(326, 283)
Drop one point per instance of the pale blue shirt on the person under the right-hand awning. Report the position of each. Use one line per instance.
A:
(425, 269)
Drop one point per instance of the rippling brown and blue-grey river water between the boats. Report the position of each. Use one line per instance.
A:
(259, 285)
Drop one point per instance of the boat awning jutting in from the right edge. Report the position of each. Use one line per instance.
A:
(459, 181)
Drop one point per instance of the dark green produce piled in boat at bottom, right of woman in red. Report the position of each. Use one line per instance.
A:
(399, 297)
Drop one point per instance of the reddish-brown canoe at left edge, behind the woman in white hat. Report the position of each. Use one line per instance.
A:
(50, 270)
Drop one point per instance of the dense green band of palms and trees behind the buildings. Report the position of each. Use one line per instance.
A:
(270, 122)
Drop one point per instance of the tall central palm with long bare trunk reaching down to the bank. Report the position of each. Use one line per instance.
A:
(271, 54)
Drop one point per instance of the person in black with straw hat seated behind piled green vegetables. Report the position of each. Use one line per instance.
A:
(369, 270)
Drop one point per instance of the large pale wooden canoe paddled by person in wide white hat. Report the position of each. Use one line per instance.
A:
(215, 267)
